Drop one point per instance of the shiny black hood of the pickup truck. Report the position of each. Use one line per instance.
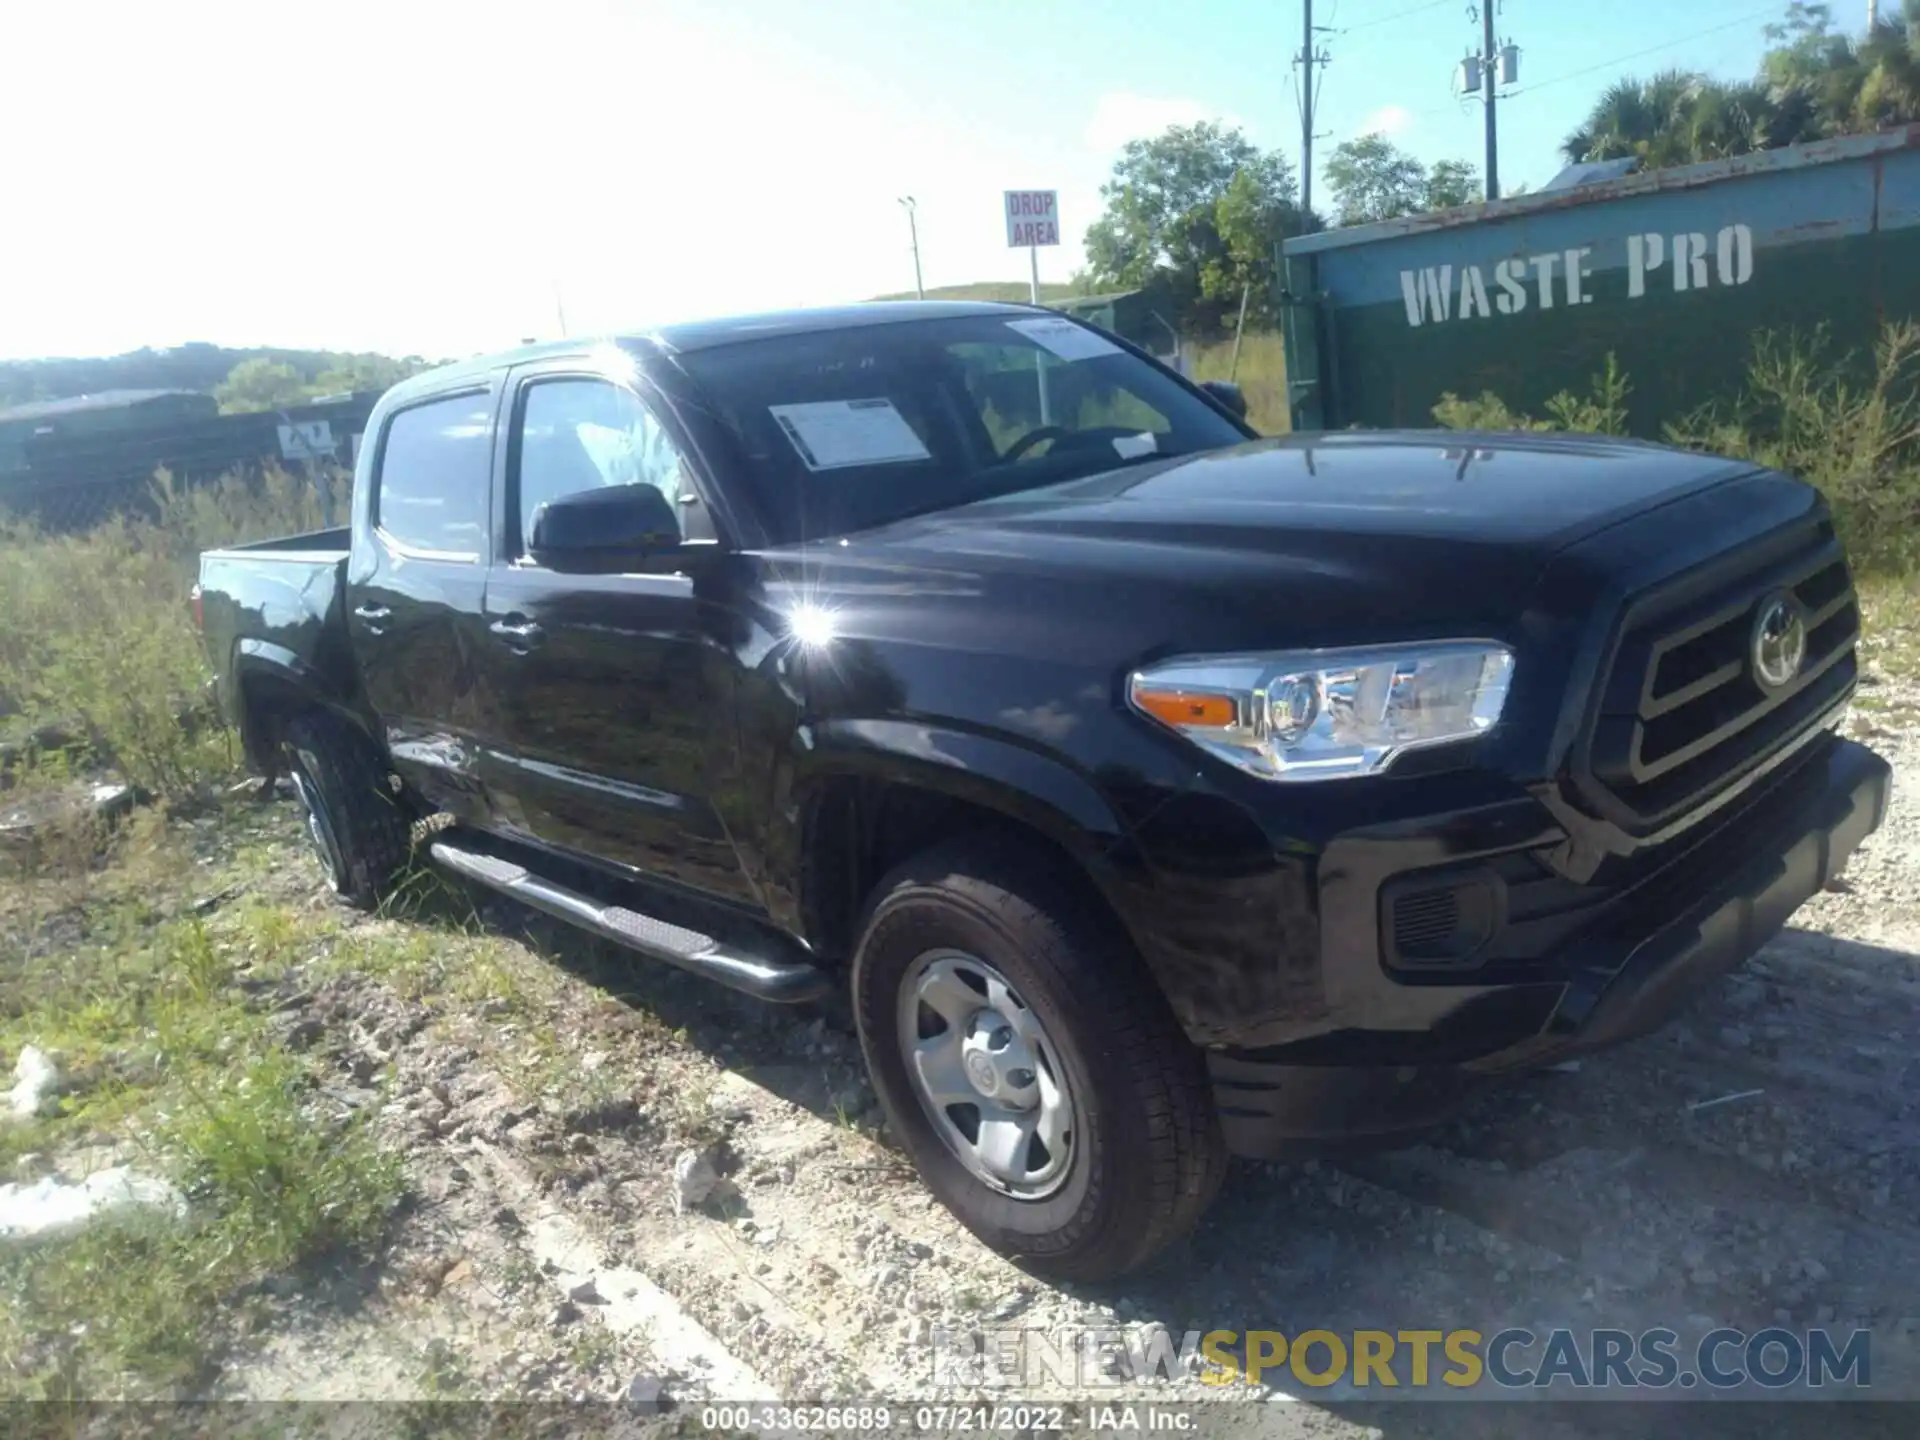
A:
(1328, 540)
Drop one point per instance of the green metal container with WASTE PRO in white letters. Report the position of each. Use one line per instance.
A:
(1671, 272)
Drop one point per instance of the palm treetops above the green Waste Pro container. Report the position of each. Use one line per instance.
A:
(1815, 84)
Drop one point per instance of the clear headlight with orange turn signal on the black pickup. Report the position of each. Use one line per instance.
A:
(1324, 715)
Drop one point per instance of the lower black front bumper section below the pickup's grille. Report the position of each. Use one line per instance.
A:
(1625, 980)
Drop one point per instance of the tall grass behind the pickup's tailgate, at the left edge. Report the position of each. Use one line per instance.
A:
(99, 654)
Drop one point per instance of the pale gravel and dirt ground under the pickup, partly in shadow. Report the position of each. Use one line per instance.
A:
(1754, 1164)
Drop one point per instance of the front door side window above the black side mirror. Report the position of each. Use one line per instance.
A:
(583, 435)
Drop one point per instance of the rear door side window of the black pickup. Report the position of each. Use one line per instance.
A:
(433, 489)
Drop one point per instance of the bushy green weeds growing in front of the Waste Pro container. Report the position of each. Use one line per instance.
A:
(1800, 412)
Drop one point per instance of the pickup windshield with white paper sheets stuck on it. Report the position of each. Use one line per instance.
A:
(852, 429)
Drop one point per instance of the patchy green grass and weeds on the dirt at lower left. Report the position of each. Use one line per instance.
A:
(170, 1065)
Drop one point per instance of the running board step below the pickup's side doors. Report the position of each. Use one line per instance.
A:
(704, 955)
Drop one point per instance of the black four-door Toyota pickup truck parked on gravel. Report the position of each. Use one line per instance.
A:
(1159, 792)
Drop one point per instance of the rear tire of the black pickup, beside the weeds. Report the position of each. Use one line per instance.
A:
(354, 823)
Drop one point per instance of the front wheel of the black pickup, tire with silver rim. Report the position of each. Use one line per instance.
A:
(1143, 1145)
